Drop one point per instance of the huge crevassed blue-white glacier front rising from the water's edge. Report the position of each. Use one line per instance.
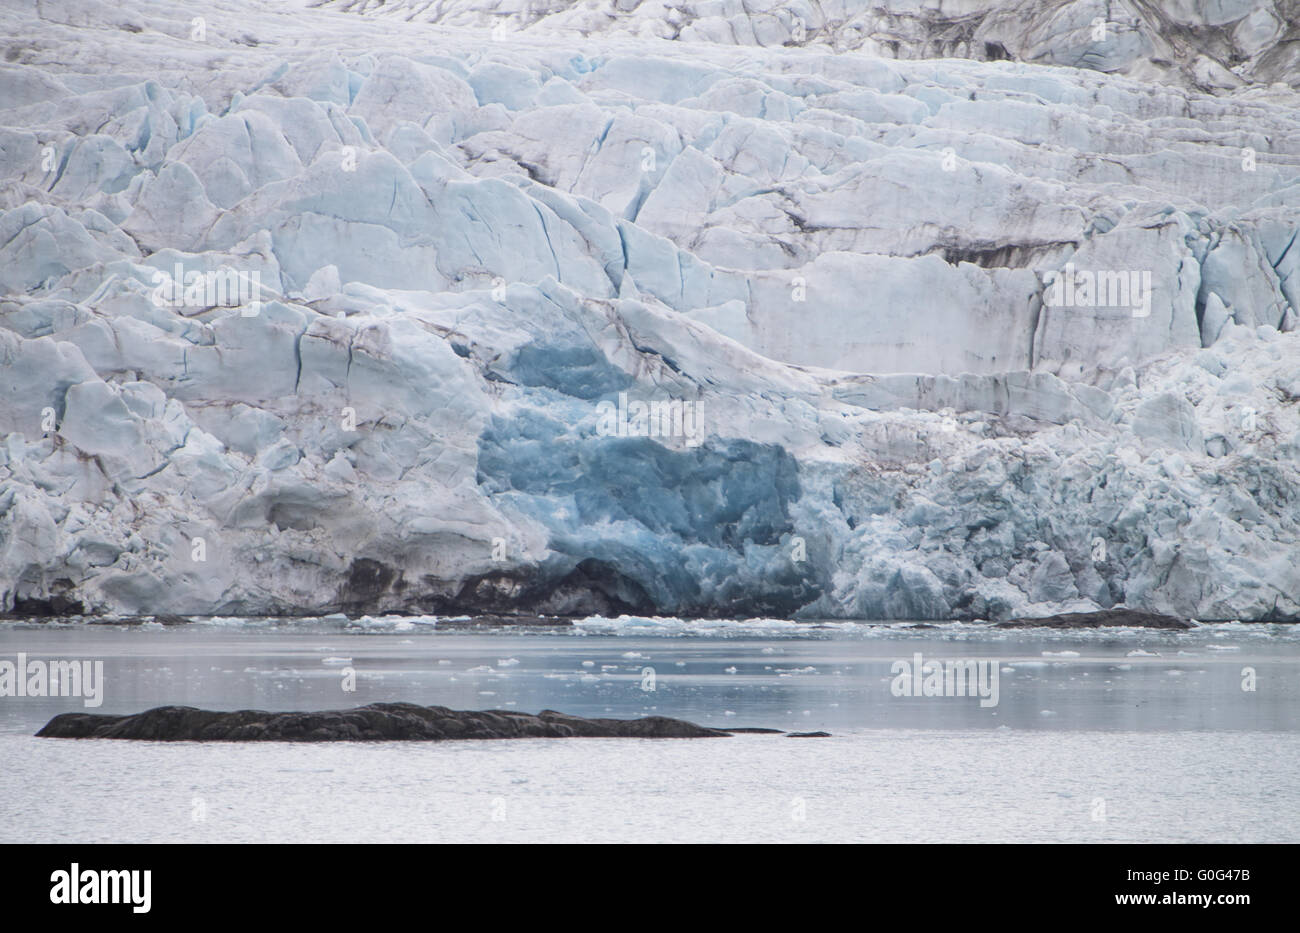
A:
(306, 311)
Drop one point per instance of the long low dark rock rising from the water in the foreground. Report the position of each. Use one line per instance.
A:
(374, 723)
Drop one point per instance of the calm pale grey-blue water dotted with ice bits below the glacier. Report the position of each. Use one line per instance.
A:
(1098, 736)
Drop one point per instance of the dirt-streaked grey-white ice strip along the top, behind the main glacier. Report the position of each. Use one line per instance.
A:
(1210, 45)
